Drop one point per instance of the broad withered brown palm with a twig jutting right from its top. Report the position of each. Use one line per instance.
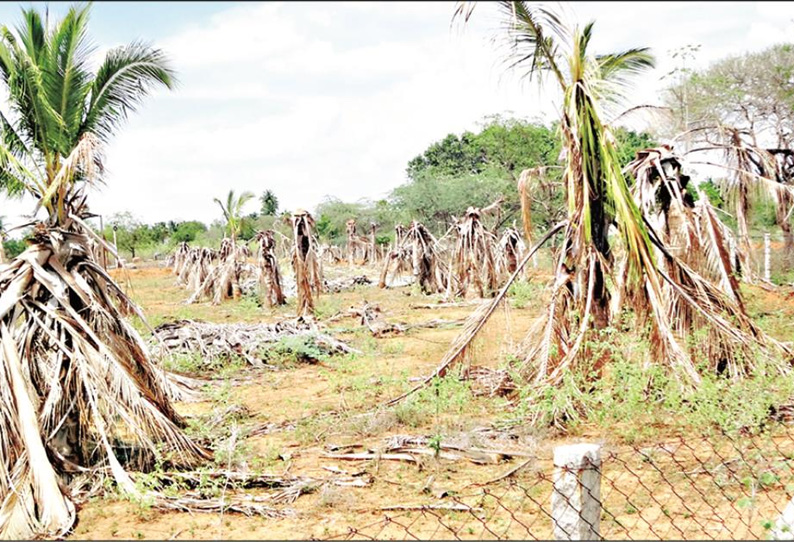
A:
(473, 260)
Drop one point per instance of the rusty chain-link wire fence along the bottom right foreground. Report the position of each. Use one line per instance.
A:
(717, 487)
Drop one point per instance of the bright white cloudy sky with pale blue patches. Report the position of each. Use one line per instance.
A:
(332, 99)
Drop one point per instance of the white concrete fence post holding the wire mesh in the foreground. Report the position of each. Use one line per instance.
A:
(576, 499)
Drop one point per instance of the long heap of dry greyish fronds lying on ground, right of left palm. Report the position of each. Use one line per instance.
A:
(251, 342)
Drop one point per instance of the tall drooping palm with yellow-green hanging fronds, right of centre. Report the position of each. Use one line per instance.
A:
(590, 288)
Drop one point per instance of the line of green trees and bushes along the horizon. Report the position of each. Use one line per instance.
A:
(751, 92)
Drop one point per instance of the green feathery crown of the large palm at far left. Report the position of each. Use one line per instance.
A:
(60, 112)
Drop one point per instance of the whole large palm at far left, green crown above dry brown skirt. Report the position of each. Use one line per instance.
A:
(75, 376)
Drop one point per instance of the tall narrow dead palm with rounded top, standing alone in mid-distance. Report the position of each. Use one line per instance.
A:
(305, 262)
